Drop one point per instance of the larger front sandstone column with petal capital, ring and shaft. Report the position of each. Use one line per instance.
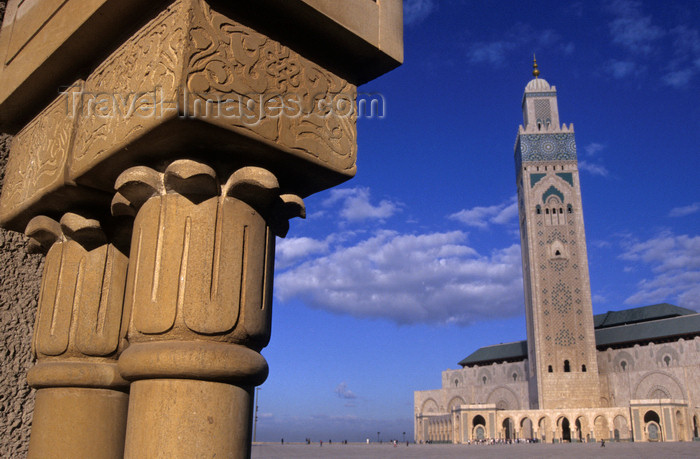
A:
(200, 291)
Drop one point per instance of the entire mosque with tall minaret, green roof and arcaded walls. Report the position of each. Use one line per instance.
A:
(631, 375)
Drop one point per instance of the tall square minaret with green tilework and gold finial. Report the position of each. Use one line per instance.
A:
(561, 342)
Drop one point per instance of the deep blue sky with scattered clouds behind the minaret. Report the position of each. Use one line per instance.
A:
(415, 263)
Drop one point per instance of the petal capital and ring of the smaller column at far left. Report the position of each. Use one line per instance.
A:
(78, 332)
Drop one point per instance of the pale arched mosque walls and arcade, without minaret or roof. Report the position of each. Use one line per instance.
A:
(658, 377)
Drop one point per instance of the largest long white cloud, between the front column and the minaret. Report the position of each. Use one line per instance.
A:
(425, 278)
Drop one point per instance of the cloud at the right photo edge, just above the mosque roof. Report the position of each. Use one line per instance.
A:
(675, 266)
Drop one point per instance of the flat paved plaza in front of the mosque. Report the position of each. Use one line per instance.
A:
(515, 451)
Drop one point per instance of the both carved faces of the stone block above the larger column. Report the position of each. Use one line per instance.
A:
(191, 62)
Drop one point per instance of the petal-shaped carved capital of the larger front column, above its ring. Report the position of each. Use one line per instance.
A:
(202, 254)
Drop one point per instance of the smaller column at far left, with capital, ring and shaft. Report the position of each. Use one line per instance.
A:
(81, 401)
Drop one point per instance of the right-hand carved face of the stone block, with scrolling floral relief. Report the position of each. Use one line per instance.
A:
(286, 98)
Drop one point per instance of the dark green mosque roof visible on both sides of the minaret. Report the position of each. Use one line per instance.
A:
(612, 329)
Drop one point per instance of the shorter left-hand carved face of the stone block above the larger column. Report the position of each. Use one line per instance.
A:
(130, 92)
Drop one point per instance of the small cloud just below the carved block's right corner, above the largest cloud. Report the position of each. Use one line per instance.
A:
(355, 205)
